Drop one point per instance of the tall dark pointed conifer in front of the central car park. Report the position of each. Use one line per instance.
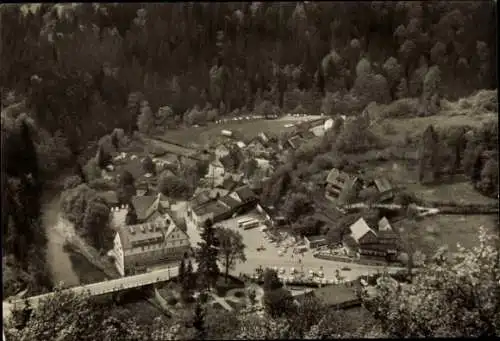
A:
(207, 256)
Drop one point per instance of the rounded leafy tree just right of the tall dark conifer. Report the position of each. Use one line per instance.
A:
(231, 248)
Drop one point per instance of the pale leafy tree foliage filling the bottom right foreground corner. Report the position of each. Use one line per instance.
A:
(465, 286)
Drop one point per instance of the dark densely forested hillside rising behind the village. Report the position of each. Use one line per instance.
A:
(87, 69)
